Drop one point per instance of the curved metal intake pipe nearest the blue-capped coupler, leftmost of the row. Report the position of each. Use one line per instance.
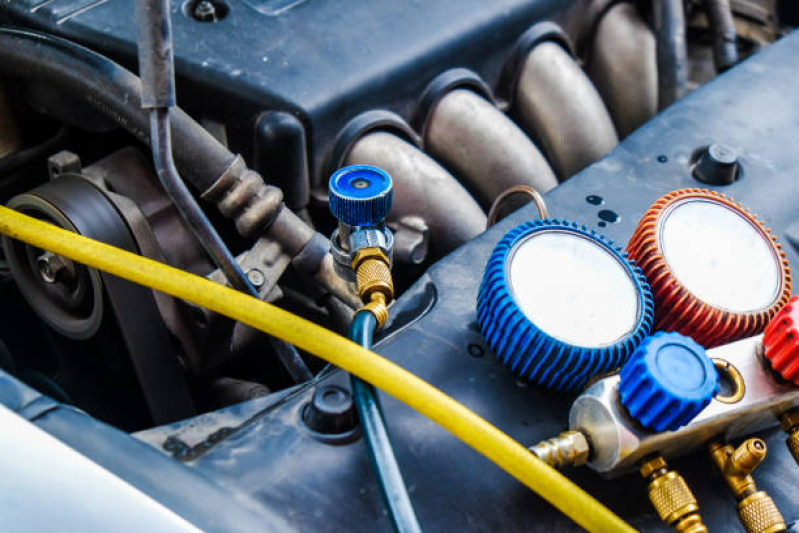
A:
(422, 188)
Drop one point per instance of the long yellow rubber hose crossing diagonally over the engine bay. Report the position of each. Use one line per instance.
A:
(399, 383)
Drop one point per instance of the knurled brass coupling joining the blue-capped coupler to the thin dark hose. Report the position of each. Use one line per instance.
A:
(374, 281)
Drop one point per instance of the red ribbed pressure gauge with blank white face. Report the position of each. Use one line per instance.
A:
(716, 272)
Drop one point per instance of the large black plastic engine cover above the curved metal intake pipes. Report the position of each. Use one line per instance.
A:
(325, 61)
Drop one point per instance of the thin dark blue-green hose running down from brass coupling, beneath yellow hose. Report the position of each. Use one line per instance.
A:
(400, 508)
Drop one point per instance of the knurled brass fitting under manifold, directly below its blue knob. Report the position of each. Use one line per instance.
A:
(671, 497)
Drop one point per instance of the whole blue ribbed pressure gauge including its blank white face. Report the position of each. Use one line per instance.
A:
(559, 303)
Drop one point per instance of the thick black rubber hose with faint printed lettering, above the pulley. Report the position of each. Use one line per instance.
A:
(112, 91)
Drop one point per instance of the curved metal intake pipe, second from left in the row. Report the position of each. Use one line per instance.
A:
(488, 152)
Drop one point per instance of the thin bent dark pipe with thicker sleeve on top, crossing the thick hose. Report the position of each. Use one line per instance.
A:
(158, 90)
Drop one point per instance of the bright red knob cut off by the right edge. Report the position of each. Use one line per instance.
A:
(781, 341)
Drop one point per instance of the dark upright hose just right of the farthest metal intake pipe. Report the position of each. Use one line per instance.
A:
(672, 51)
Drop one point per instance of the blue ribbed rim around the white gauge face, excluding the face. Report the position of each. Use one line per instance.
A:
(535, 355)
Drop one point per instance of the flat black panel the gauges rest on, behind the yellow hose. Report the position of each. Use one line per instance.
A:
(753, 109)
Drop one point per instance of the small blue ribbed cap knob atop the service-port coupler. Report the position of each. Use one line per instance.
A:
(360, 195)
